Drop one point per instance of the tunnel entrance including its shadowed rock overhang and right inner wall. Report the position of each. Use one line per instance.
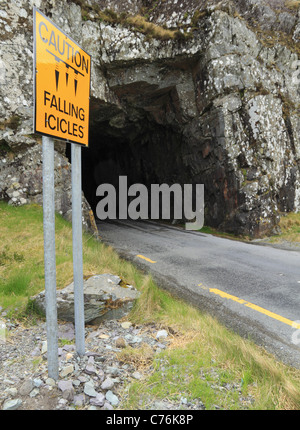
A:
(153, 130)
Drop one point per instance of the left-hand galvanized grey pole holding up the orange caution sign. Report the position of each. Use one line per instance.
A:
(49, 255)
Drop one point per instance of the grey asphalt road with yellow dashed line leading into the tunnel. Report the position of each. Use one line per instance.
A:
(252, 289)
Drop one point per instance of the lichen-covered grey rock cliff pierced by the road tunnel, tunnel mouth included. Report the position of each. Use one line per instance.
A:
(216, 101)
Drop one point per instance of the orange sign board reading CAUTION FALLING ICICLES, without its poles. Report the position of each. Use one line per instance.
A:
(62, 73)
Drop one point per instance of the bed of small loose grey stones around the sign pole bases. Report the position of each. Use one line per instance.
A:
(94, 381)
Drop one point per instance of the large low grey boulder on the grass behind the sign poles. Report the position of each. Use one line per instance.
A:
(104, 298)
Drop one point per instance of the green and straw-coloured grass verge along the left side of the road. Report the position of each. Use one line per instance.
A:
(202, 354)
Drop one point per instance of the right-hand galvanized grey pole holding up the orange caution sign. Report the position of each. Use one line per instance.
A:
(77, 248)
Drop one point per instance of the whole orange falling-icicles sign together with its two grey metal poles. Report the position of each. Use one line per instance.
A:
(62, 74)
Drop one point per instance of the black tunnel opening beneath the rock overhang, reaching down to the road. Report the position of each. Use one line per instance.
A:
(146, 151)
